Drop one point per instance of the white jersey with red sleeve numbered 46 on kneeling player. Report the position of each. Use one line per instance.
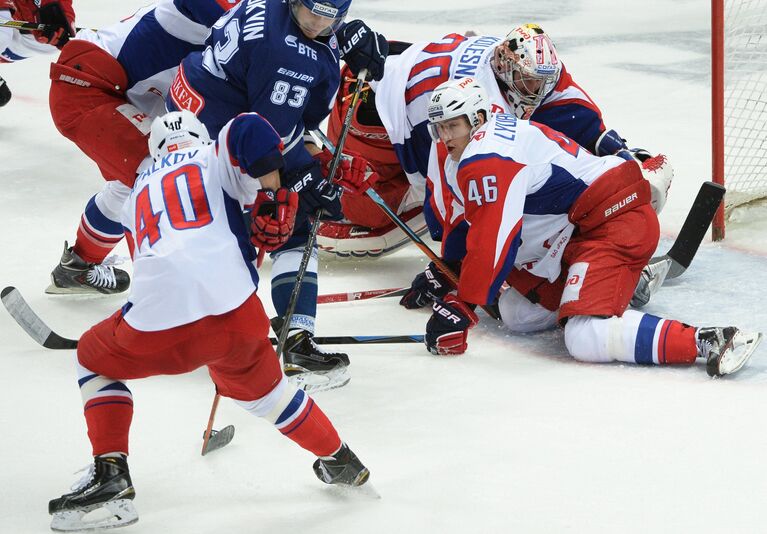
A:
(516, 182)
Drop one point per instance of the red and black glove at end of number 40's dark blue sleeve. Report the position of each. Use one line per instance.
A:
(274, 215)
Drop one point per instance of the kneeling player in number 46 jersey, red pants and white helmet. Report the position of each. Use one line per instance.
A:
(569, 231)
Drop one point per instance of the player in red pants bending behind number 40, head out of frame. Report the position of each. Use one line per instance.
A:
(105, 89)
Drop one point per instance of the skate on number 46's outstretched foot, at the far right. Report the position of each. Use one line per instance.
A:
(726, 349)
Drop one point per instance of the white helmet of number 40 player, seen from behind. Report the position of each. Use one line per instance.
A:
(174, 131)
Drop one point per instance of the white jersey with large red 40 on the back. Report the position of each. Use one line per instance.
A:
(183, 222)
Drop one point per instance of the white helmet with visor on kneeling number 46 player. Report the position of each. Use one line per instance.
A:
(456, 98)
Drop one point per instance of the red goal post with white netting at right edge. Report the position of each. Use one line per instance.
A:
(738, 103)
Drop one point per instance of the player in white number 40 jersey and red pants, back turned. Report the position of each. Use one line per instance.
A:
(188, 241)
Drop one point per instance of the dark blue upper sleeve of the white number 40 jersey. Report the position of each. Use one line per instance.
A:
(254, 144)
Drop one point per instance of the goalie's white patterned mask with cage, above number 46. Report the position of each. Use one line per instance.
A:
(526, 61)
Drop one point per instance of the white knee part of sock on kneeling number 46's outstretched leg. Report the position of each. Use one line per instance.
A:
(588, 339)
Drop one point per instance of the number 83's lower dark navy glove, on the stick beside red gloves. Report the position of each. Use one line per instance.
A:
(315, 192)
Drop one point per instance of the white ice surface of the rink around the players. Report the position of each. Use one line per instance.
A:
(513, 436)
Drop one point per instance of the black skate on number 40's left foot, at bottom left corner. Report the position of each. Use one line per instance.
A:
(101, 499)
